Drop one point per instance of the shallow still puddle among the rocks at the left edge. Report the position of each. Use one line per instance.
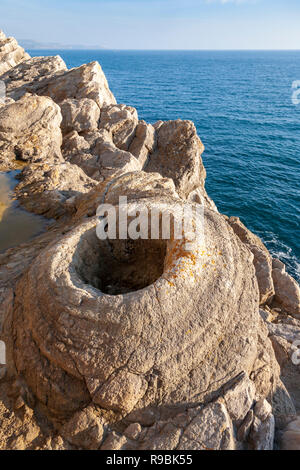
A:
(16, 225)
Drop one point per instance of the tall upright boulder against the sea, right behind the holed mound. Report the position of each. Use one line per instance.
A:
(178, 156)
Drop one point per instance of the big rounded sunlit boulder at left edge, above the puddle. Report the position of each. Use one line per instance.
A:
(30, 131)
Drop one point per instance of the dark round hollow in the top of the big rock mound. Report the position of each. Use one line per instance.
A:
(119, 266)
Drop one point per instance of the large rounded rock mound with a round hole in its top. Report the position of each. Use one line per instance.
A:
(75, 313)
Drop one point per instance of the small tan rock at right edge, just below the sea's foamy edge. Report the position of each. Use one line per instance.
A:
(287, 291)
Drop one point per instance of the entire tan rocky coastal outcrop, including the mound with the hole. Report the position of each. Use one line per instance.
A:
(131, 344)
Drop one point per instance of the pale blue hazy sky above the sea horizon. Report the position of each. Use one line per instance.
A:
(156, 24)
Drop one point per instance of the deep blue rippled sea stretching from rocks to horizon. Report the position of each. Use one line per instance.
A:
(242, 107)
